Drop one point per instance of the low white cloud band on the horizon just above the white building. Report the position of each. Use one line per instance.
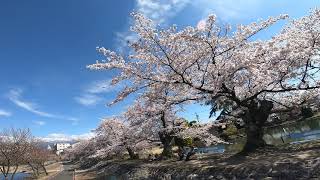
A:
(66, 137)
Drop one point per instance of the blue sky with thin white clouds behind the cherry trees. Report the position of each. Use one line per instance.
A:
(46, 45)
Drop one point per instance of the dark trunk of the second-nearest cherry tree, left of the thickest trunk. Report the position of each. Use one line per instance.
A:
(167, 141)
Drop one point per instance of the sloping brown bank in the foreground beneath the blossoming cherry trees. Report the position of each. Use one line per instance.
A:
(301, 161)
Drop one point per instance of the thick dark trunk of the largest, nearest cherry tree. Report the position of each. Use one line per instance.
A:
(255, 117)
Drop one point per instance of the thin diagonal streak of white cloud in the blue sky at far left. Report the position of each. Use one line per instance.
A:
(15, 96)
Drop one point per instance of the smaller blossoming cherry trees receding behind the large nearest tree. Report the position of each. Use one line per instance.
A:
(143, 126)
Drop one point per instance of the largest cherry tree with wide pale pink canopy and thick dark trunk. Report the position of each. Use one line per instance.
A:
(224, 66)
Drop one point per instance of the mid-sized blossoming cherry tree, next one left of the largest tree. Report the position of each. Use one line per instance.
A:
(155, 113)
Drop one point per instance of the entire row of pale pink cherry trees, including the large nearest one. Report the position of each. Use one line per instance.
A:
(227, 68)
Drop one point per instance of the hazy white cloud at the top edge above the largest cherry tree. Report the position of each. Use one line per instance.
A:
(162, 11)
